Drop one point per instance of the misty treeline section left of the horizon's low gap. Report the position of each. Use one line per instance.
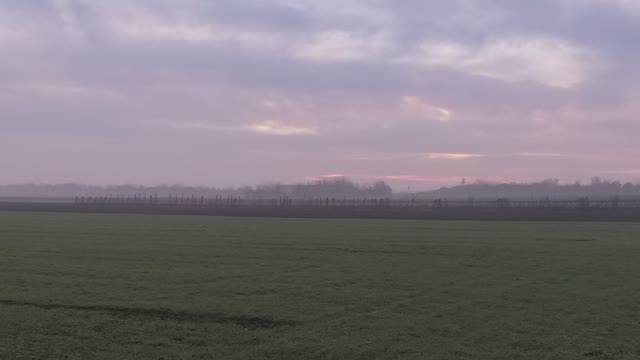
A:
(334, 188)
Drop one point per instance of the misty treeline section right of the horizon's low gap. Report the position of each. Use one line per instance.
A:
(551, 188)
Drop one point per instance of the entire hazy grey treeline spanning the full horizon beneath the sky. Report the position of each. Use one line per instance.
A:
(341, 188)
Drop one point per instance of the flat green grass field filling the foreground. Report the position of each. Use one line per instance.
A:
(171, 287)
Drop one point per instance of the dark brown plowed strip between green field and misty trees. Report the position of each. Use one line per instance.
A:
(455, 214)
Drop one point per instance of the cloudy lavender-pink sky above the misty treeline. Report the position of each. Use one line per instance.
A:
(419, 93)
